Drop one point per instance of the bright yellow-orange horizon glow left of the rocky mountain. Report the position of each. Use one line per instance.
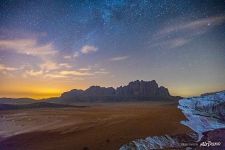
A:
(36, 88)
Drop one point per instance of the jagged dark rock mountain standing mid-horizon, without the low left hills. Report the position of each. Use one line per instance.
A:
(136, 90)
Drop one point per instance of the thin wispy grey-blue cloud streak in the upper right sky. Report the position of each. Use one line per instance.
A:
(179, 34)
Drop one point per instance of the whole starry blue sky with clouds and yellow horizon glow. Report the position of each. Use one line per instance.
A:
(51, 46)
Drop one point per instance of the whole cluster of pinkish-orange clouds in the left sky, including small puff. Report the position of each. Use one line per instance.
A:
(47, 65)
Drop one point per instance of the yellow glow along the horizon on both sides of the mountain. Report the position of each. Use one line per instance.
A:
(39, 88)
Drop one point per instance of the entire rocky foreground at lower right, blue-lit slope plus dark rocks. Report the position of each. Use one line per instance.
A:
(205, 115)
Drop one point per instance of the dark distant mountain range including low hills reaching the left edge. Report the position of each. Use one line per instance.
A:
(134, 91)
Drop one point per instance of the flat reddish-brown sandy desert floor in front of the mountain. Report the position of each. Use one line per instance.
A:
(97, 127)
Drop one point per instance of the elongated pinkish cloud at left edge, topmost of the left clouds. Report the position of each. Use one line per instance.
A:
(27, 47)
